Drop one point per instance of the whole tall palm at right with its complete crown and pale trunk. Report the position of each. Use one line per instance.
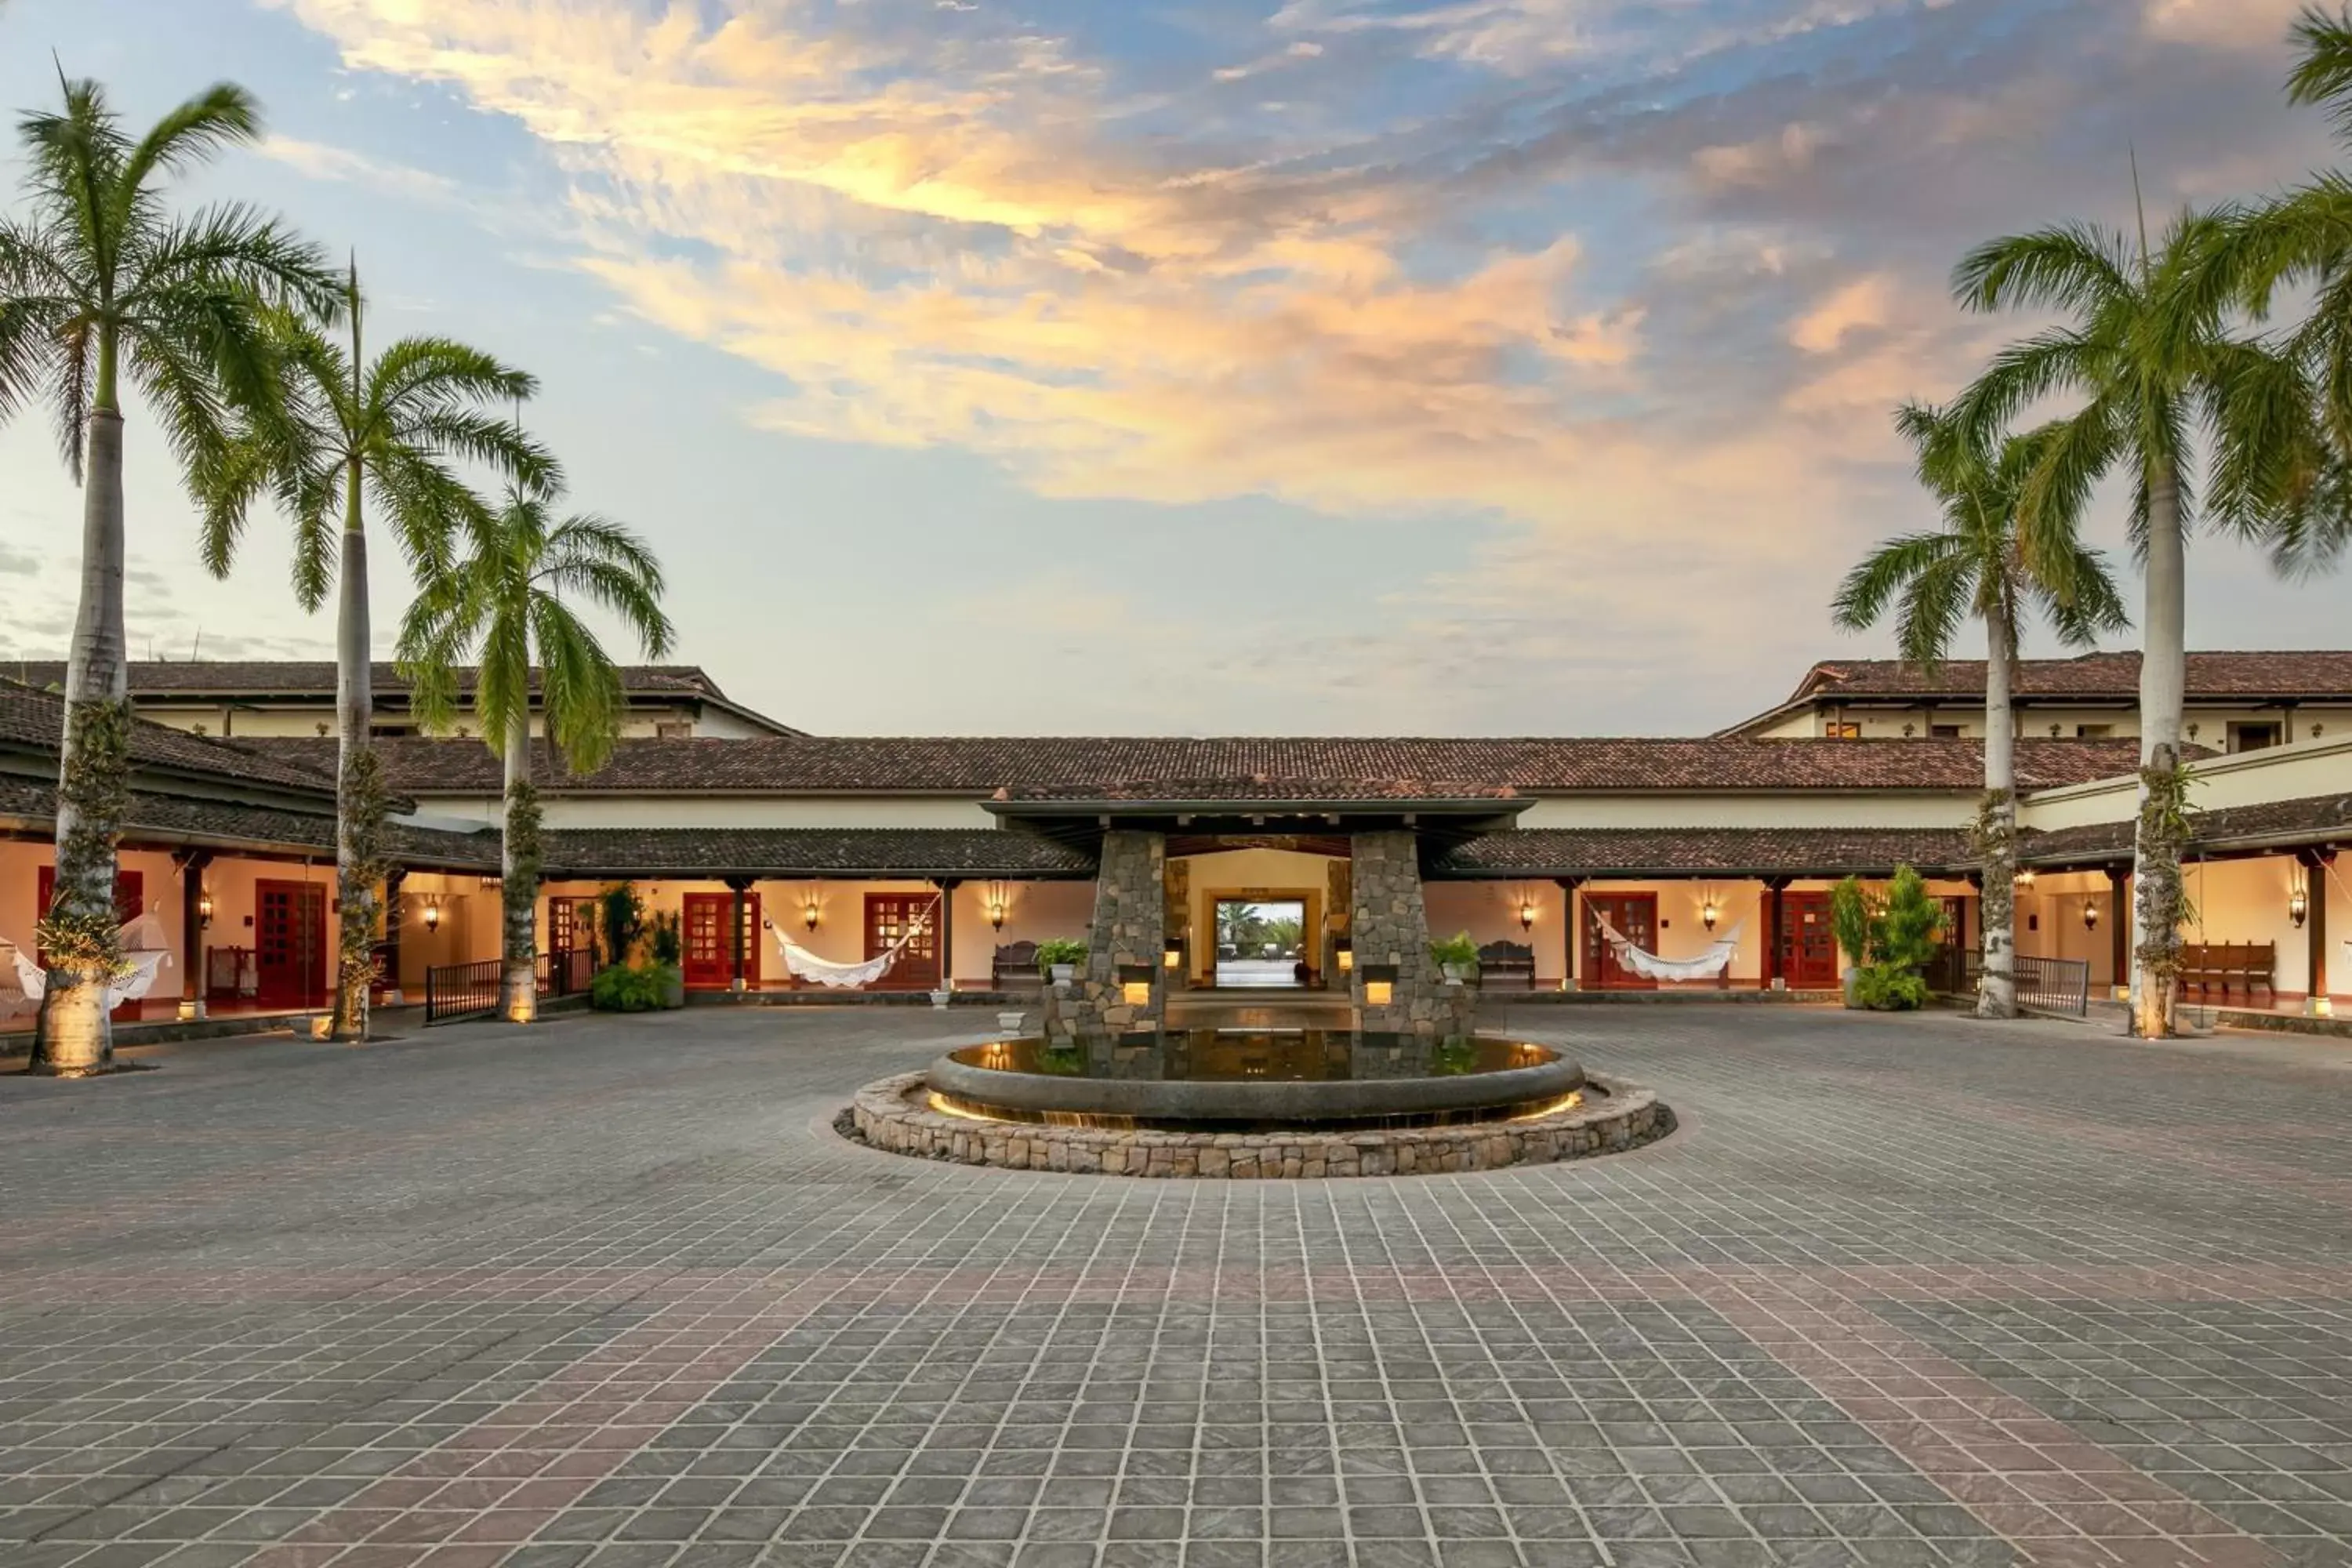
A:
(2153, 359)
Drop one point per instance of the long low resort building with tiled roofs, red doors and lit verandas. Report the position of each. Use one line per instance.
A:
(951, 859)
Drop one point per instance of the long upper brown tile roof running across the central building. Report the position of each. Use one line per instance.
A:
(1236, 768)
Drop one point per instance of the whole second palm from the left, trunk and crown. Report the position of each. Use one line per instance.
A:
(356, 431)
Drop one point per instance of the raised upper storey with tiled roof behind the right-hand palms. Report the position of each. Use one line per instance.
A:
(2236, 702)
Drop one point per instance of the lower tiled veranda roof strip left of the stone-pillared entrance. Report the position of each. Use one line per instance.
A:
(810, 852)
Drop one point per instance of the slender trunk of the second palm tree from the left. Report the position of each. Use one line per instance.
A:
(356, 796)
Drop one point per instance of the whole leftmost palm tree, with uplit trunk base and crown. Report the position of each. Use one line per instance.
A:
(102, 286)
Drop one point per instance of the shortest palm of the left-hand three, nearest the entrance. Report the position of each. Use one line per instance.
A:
(505, 610)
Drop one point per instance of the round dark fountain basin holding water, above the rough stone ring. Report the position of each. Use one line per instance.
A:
(1238, 1080)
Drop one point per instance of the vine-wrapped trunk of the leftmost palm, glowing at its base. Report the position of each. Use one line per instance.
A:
(74, 1033)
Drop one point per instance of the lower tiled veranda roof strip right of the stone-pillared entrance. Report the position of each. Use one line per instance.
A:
(1720, 852)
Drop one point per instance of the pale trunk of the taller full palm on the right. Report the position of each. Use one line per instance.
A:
(2163, 688)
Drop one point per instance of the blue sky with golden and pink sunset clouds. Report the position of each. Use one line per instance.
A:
(1191, 366)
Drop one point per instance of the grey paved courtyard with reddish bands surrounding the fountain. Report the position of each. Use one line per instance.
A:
(613, 1294)
